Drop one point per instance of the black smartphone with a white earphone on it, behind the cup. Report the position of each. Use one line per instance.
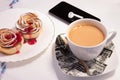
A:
(69, 13)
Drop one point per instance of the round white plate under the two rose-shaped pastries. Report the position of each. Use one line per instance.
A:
(8, 19)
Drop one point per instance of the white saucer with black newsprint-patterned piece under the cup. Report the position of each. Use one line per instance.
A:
(70, 65)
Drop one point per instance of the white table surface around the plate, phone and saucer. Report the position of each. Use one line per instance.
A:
(43, 67)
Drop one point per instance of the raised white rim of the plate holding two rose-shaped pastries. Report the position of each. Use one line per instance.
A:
(41, 52)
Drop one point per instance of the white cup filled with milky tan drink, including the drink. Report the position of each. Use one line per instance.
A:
(87, 38)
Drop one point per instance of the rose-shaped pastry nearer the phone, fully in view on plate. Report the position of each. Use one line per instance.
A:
(29, 25)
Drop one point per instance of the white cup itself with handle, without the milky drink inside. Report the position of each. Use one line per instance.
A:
(89, 52)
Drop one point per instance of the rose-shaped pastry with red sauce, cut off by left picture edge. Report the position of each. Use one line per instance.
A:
(10, 41)
